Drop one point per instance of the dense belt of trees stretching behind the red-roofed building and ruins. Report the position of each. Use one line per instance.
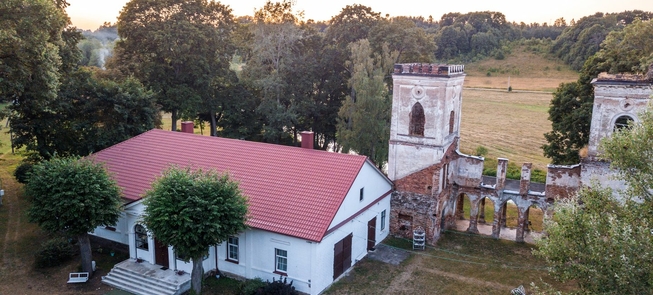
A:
(264, 77)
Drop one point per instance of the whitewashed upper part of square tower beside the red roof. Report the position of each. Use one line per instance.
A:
(426, 106)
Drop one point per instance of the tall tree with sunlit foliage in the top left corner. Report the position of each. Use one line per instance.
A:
(37, 52)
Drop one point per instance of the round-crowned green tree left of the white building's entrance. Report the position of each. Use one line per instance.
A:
(73, 196)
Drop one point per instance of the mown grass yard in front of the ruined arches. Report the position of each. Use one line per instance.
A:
(459, 264)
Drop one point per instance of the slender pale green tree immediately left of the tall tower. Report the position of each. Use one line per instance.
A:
(364, 118)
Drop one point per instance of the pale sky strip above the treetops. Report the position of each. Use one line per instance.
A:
(90, 14)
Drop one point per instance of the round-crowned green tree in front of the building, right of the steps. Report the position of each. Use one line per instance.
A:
(192, 210)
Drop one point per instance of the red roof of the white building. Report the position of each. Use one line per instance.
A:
(290, 190)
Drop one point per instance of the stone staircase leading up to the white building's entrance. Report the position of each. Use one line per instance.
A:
(146, 279)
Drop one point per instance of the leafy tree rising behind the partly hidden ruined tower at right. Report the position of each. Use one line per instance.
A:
(570, 112)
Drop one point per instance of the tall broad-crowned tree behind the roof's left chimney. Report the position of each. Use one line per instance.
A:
(177, 48)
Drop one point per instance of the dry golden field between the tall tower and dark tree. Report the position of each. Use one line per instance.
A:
(510, 124)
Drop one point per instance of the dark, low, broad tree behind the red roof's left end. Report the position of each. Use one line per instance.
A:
(90, 114)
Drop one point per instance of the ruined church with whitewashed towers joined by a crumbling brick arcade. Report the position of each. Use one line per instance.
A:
(431, 176)
